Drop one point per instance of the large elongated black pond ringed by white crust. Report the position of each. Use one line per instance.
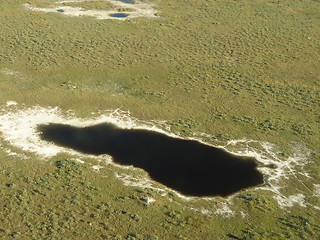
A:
(187, 166)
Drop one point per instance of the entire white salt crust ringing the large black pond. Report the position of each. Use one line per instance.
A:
(18, 127)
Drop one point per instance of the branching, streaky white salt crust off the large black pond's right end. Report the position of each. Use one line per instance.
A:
(286, 168)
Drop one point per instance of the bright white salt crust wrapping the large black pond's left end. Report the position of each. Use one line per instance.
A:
(18, 127)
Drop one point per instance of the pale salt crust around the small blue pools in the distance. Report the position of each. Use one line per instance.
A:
(138, 9)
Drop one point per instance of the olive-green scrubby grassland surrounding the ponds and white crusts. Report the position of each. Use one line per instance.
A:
(231, 69)
